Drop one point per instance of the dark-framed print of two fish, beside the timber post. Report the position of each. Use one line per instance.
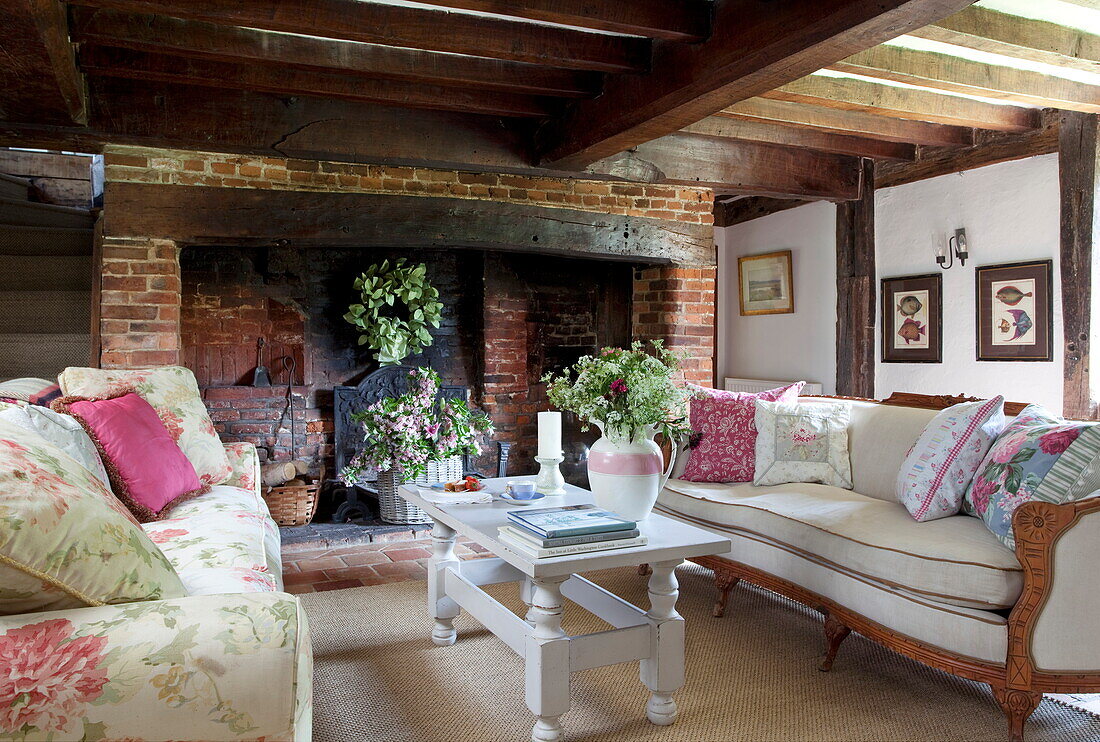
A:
(912, 319)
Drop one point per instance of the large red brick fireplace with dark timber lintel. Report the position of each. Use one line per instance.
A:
(202, 254)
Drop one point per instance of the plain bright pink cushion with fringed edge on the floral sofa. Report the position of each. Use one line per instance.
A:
(148, 470)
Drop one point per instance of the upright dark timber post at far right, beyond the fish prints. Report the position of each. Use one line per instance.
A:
(1080, 185)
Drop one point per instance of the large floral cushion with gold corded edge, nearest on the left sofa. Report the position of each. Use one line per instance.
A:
(65, 541)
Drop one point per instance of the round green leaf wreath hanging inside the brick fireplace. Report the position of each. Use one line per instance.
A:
(398, 307)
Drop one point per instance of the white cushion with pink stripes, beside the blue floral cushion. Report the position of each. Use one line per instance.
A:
(938, 471)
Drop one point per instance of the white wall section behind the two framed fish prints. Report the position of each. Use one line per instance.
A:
(1010, 213)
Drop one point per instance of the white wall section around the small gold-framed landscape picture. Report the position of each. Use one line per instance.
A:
(783, 347)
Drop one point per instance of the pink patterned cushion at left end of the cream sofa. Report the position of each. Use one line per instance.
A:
(724, 425)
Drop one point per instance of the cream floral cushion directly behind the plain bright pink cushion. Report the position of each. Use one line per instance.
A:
(174, 394)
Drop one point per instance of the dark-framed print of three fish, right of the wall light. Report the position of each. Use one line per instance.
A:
(1015, 313)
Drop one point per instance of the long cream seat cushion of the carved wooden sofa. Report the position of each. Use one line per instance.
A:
(954, 560)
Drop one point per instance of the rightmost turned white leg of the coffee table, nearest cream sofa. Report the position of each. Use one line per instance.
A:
(664, 672)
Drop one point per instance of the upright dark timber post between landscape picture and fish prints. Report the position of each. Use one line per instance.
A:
(856, 292)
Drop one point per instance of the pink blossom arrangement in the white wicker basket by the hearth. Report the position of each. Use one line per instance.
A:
(404, 434)
